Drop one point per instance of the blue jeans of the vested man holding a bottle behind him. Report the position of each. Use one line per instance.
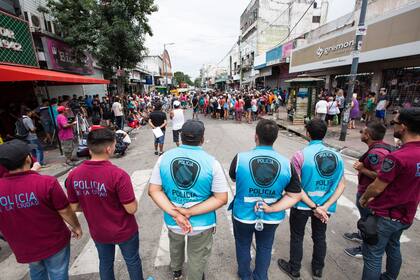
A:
(264, 240)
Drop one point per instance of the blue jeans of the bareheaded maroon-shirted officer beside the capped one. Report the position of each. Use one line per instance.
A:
(130, 252)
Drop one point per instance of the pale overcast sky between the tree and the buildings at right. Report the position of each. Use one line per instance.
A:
(204, 31)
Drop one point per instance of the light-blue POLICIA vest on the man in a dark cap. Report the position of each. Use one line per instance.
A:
(187, 175)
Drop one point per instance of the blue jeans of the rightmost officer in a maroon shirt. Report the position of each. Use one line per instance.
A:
(389, 233)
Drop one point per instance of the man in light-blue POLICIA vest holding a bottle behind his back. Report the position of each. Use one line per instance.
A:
(261, 175)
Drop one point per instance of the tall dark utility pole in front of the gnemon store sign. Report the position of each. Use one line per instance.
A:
(361, 31)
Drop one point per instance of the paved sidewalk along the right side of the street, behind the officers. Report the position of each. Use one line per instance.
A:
(352, 147)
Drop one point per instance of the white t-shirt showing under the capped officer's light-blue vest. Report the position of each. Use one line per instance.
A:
(219, 185)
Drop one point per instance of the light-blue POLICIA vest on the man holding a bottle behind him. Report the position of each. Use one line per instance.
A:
(262, 174)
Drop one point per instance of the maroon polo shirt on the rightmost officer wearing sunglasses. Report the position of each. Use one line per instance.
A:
(401, 169)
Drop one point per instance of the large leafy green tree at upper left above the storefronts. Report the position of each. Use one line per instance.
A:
(113, 31)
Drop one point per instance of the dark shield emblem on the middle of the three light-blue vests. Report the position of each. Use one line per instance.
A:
(264, 171)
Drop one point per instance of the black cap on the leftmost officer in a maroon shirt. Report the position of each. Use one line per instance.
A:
(13, 153)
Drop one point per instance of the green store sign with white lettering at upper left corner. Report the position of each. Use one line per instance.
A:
(16, 45)
